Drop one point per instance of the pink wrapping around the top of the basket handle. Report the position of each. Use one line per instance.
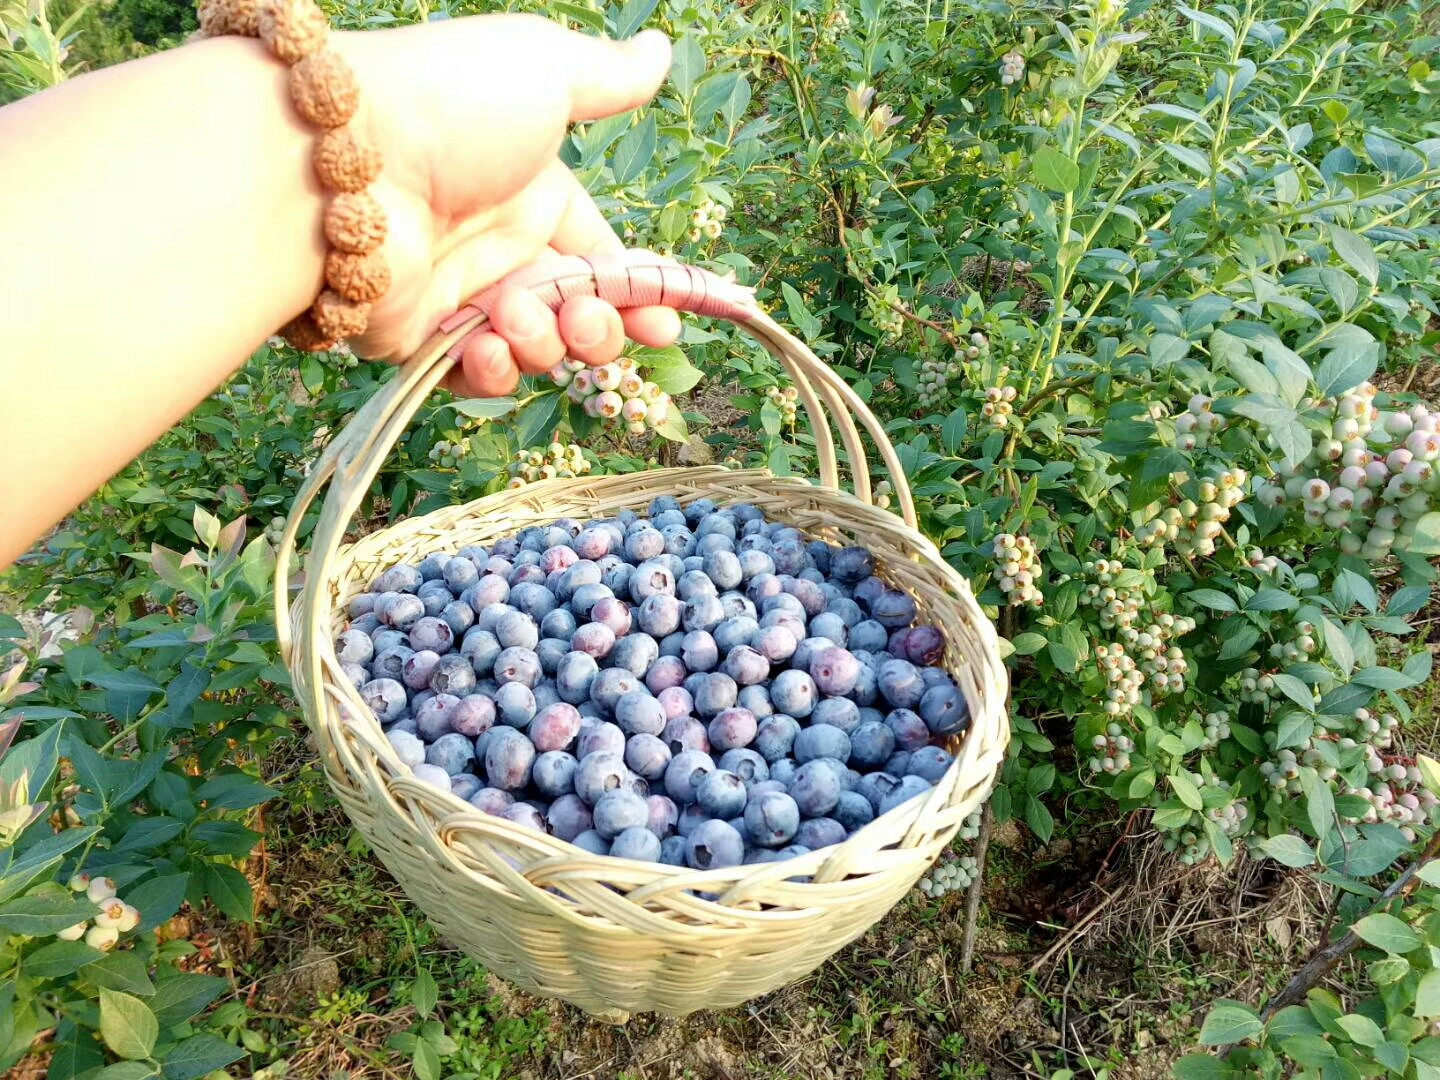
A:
(630, 280)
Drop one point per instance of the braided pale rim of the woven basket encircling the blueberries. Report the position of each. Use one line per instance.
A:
(401, 775)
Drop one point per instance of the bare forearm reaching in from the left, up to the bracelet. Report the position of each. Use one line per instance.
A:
(165, 221)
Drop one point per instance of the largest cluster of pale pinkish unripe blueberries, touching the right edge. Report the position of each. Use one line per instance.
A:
(1373, 474)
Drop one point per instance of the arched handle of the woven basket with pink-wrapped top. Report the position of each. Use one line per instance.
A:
(634, 279)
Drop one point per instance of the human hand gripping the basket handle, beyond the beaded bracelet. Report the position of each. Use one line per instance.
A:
(470, 114)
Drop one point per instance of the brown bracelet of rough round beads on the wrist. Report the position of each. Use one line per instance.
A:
(326, 93)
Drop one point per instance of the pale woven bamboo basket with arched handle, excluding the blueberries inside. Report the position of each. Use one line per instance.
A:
(617, 937)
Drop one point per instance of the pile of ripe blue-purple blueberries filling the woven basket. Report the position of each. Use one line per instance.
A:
(698, 686)
